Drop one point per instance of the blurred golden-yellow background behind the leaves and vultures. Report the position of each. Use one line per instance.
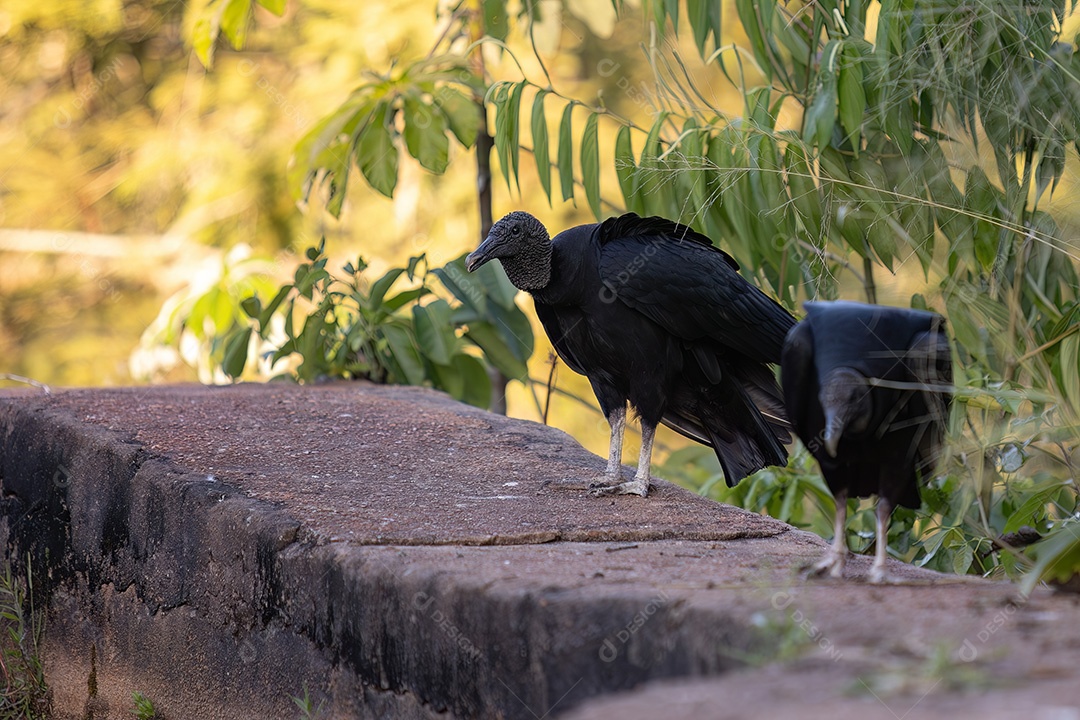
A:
(130, 173)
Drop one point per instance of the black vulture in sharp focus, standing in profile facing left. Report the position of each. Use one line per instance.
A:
(656, 317)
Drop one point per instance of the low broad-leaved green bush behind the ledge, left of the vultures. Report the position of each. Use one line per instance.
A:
(348, 328)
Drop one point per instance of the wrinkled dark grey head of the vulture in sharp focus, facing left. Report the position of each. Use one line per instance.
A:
(523, 246)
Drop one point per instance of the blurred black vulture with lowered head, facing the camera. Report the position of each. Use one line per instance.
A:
(868, 389)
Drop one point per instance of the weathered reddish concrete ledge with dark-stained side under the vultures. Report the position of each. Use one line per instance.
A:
(401, 555)
